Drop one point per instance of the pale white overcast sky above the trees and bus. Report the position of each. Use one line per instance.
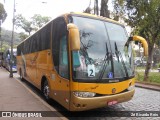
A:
(51, 8)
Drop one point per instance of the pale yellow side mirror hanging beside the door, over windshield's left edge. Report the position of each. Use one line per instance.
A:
(74, 37)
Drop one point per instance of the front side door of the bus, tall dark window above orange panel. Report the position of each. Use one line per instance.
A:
(61, 62)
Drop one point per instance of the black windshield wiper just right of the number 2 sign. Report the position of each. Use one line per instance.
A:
(105, 62)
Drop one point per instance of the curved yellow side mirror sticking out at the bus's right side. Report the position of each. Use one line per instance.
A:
(143, 41)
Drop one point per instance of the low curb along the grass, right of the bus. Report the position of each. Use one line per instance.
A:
(147, 86)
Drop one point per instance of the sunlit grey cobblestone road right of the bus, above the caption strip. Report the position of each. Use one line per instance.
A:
(143, 100)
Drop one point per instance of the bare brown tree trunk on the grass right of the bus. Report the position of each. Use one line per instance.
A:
(149, 62)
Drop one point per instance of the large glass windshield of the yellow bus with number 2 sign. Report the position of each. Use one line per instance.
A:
(104, 54)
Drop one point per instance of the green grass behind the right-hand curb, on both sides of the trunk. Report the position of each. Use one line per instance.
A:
(154, 77)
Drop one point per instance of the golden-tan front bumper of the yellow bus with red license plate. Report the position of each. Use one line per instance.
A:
(81, 104)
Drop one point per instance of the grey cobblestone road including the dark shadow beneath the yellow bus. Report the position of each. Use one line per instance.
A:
(143, 100)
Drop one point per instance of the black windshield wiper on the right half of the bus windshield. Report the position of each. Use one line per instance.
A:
(119, 55)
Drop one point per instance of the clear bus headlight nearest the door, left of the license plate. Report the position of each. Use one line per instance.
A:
(84, 94)
